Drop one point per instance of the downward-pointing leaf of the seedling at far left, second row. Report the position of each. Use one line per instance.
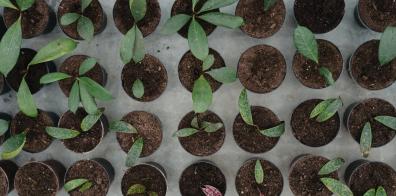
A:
(26, 101)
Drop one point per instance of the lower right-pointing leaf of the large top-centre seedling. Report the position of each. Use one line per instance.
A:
(222, 19)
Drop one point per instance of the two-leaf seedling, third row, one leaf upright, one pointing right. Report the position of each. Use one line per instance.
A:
(246, 114)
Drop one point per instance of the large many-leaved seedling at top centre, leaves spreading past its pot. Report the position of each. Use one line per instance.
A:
(197, 39)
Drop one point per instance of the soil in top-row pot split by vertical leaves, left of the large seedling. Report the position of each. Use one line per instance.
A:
(124, 20)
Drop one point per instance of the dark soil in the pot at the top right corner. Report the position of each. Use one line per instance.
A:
(377, 15)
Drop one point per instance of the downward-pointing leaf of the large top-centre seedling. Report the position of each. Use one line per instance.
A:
(197, 40)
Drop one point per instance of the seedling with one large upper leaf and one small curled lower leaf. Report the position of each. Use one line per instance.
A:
(306, 44)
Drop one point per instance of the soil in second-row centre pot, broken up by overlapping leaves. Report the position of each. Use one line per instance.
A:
(190, 69)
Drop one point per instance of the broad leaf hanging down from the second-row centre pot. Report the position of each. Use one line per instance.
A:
(202, 95)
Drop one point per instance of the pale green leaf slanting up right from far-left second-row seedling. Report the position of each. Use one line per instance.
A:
(54, 50)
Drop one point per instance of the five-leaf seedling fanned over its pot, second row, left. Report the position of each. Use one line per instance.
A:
(84, 89)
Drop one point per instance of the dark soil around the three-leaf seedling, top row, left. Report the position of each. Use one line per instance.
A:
(94, 12)
